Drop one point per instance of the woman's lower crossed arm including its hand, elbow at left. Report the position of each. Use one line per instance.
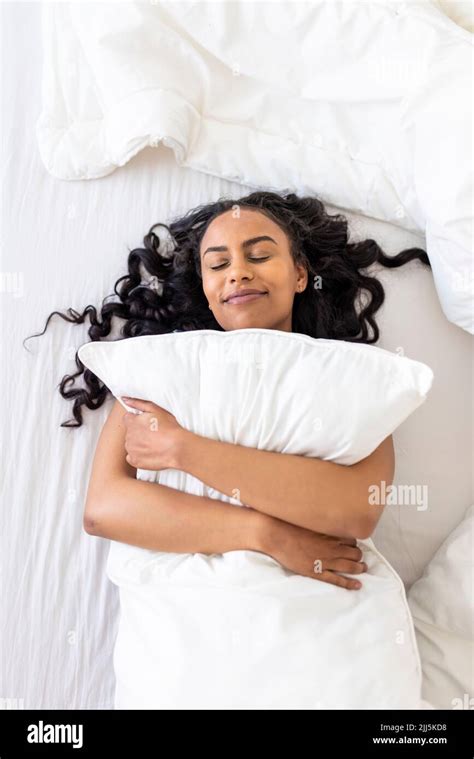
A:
(154, 516)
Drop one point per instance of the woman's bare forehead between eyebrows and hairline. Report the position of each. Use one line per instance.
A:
(247, 223)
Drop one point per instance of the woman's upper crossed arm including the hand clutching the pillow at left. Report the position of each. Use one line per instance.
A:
(308, 492)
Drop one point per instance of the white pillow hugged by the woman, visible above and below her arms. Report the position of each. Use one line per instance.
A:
(238, 630)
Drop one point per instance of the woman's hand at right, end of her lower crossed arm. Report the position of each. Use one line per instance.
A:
(313, 554)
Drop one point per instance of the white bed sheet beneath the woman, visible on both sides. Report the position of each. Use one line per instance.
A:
(65, 244)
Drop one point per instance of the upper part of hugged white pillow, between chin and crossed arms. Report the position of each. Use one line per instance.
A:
(328, 398)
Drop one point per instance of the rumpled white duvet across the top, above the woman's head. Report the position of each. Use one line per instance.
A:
(365, 104)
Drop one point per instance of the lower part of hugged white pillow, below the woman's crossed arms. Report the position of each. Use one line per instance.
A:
(239, 631)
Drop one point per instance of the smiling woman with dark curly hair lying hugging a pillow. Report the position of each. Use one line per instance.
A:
(268, 261)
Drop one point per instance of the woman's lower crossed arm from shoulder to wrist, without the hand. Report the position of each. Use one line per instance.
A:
(154, 516)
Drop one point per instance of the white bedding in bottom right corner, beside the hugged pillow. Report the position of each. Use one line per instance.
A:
(442, 604)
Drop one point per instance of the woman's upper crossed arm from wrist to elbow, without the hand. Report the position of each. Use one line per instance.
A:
(320, 495)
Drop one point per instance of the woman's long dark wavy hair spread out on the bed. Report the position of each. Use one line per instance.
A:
(317, 239)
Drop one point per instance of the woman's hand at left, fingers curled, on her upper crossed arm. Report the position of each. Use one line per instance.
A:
(152, 436)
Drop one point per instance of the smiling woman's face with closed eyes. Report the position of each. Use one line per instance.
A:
(233, 258)
